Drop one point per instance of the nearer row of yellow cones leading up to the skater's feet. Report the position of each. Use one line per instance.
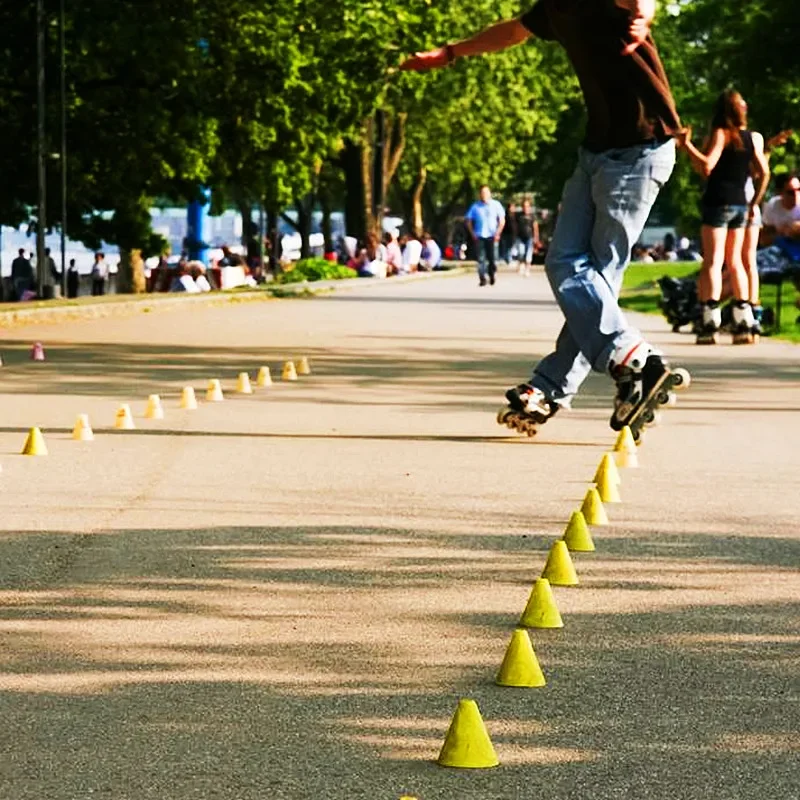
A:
(467, 744)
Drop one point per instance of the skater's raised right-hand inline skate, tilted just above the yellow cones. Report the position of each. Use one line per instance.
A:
(644, 383)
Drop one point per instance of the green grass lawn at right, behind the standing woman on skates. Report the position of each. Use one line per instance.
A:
(640, 292)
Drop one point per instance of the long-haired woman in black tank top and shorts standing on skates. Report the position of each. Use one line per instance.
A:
(733, 155)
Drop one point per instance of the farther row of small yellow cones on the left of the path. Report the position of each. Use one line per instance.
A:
(35, 444)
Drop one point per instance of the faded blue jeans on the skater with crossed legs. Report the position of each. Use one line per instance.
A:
(604, 209)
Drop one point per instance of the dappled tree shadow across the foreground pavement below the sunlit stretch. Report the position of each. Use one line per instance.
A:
(309, 662)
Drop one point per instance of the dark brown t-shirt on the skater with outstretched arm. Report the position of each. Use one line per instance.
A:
(628, 97)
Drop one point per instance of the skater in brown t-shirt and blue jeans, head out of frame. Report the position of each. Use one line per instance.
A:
(628, 154)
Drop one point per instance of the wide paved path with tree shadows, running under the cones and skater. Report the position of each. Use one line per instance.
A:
(284, 595)
